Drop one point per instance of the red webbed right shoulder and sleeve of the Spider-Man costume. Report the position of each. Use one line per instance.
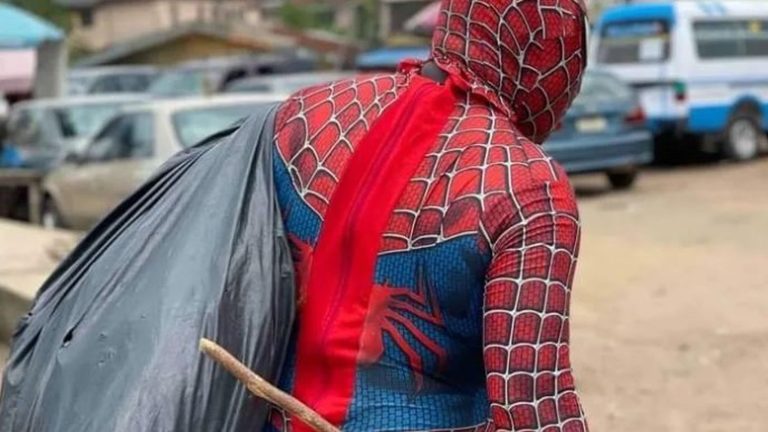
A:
(485, 179)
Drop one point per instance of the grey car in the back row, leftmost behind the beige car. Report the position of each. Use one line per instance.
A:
(110, 79)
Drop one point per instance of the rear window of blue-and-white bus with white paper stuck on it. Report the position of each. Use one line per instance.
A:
(634, 42)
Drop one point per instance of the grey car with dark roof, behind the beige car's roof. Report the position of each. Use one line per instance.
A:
(201, 77)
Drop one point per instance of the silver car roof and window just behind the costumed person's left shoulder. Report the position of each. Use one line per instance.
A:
(283, 84)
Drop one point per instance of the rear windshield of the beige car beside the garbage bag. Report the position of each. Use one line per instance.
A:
(193, 126)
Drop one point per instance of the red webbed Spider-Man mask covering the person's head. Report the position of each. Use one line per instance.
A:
(525, 56)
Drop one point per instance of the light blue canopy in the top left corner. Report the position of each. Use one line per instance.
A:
(21, 29)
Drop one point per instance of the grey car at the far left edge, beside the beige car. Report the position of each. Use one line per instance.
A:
(44, 131)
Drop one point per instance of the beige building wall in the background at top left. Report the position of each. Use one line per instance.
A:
(99, 24)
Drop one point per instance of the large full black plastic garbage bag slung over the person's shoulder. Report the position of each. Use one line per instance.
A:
(111, 343)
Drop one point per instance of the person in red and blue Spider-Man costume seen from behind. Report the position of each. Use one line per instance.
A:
(435, 241)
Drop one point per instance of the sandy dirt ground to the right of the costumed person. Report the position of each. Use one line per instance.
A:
(669, 329)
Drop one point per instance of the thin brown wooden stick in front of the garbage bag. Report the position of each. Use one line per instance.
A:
(263, 389)
